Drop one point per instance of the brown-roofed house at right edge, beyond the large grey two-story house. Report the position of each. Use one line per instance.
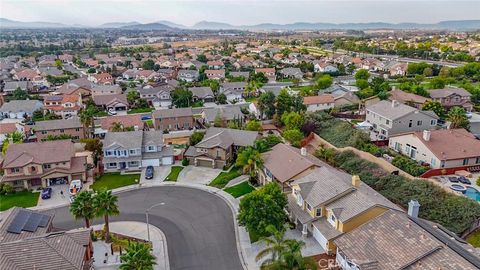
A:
(450, 97)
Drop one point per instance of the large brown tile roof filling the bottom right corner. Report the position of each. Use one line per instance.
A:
(394, 241)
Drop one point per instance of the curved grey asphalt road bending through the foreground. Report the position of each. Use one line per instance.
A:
(198, 225)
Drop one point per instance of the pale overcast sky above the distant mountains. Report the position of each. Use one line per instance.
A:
(95, 12)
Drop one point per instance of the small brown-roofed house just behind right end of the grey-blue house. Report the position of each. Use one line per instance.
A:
(173, 119)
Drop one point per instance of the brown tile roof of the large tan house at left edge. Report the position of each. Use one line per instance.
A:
(19, 155)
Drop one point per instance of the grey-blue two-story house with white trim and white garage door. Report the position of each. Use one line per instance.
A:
(133, 150)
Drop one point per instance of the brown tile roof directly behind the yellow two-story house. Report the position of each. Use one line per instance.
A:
(285, 162)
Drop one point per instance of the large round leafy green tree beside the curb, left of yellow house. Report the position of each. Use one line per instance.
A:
(263, 207)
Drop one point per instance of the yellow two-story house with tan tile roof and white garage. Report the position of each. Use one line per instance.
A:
(327, 203)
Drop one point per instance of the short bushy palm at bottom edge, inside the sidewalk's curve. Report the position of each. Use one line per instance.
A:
(137, 257)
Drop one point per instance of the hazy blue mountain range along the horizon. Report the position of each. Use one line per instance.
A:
(211, 25)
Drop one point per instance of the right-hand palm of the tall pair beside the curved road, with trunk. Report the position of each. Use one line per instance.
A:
(106, 205)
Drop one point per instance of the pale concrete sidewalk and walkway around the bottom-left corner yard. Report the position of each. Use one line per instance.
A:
(136, 230)
